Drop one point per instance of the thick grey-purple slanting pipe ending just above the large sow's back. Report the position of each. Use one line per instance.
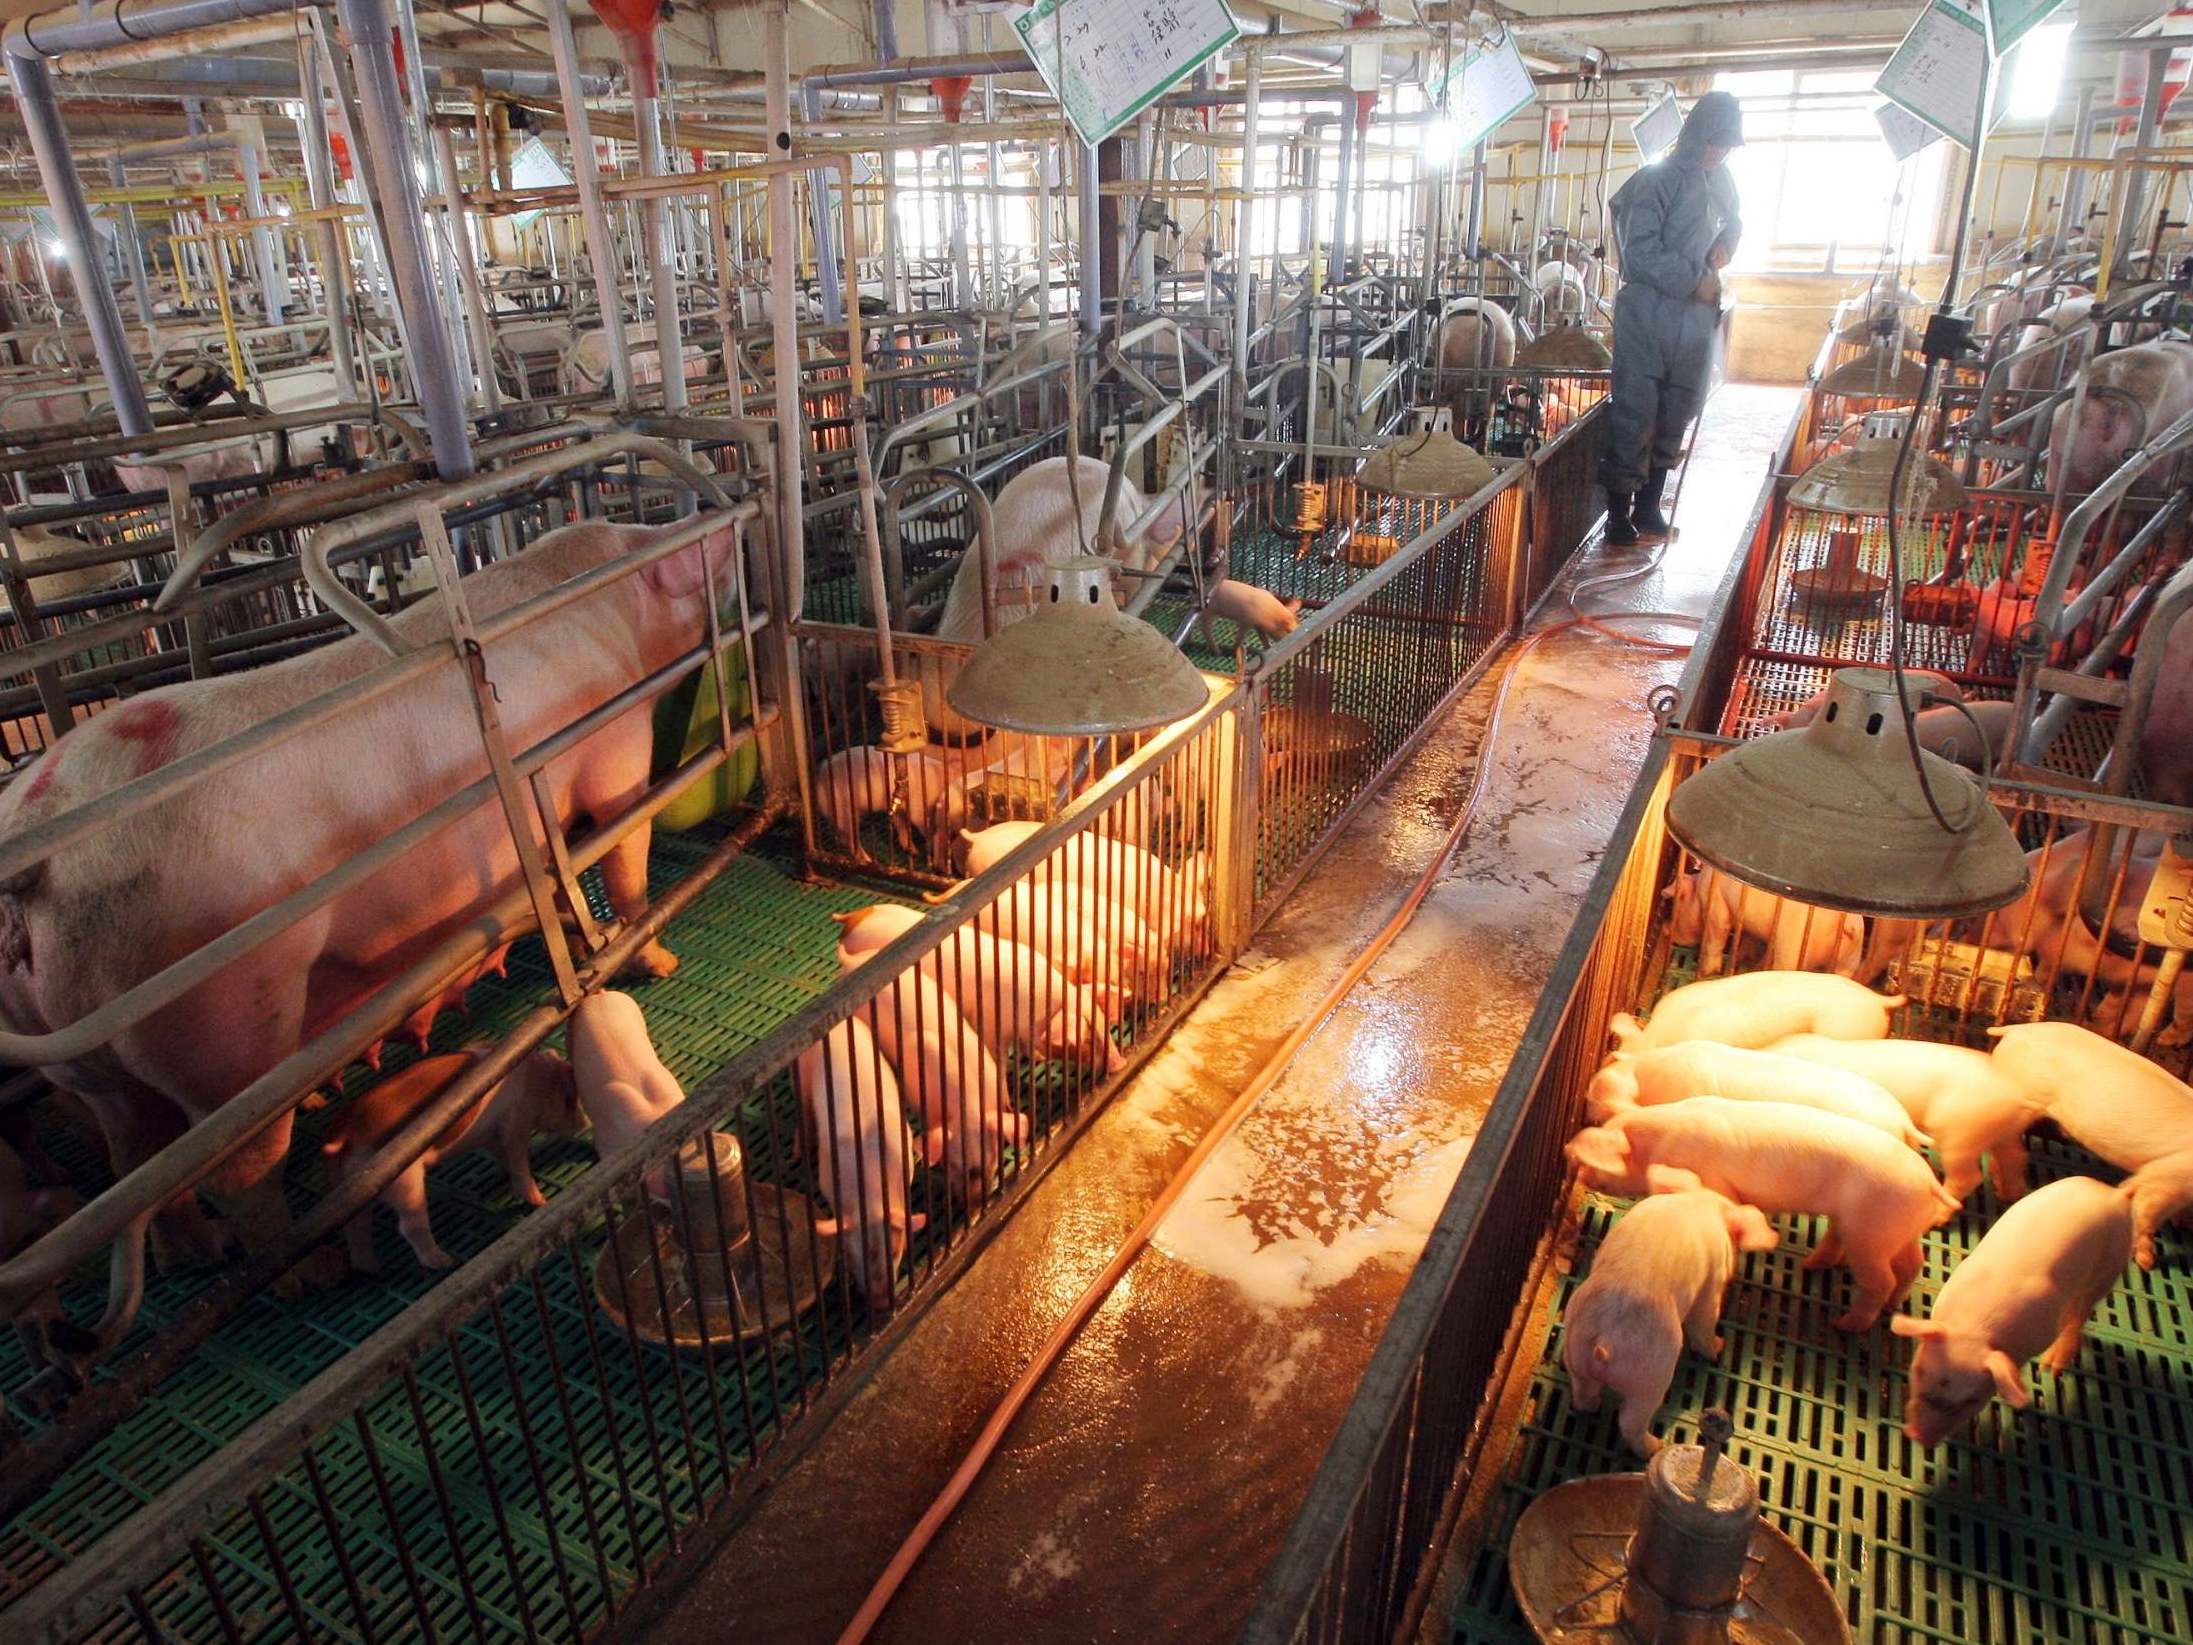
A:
(433, 365)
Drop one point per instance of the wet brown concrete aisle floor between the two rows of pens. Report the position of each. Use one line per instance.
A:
(1157, 1471)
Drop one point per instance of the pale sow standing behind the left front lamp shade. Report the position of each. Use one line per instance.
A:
(1034, 527)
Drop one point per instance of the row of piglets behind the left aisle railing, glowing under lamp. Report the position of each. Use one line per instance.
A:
(1045, 971)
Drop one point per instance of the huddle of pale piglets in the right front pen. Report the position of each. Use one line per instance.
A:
(1780, 1093)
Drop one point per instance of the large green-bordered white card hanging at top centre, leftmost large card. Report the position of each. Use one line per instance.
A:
(1109, 60)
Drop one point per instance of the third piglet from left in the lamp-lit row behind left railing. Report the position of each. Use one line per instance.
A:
(1012, 995)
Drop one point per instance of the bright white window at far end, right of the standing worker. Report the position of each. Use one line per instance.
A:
(1819, 185)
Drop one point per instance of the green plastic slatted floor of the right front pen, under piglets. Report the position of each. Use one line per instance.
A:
(2065, 1525)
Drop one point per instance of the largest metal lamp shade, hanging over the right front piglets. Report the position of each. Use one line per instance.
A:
(1832, 815)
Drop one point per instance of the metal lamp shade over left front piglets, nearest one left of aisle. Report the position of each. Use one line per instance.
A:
(1078, 666)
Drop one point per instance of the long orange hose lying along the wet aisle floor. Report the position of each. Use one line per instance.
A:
(1269, 1076)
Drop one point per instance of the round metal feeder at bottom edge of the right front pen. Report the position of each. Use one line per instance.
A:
(1674, 1556)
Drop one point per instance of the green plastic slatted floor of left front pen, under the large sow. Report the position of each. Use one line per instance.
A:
(753, 949)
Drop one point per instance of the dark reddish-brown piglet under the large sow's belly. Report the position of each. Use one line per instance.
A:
(538, 1098)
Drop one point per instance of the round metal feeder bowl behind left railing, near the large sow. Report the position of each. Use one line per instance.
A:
(775, 1264)
